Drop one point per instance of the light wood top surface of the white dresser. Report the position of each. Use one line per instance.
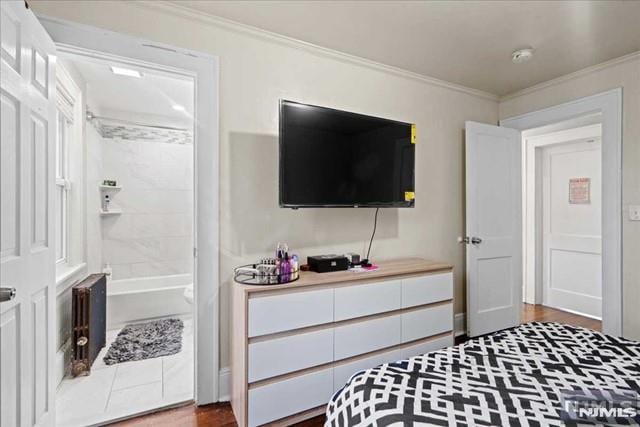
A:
(389, 268)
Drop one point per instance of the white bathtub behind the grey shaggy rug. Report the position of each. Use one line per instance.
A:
(143, 298)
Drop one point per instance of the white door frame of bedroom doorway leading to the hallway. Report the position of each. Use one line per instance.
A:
(609, 105)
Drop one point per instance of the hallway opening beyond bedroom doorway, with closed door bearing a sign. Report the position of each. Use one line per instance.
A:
(563, 216)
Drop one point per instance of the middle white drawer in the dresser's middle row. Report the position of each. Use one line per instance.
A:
(366, 336)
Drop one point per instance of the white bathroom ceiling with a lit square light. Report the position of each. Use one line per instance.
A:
(149, 99)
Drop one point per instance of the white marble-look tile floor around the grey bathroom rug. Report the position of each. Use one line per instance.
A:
(123, 389)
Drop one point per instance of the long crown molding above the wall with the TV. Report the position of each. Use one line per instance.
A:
(208, 19)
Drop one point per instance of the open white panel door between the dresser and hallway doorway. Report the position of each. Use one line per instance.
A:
(494, 228)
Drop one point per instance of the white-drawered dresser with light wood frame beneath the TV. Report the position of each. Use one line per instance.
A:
(294, 345)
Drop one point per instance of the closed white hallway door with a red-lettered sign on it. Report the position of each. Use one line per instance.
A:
(572, 236)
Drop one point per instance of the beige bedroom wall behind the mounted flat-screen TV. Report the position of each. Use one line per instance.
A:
(257, 71)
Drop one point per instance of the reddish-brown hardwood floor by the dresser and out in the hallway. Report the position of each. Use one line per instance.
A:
(220, 414)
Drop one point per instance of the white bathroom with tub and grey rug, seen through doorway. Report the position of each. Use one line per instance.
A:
(124, 207)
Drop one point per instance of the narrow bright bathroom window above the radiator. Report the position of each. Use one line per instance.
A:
(62, 186)
